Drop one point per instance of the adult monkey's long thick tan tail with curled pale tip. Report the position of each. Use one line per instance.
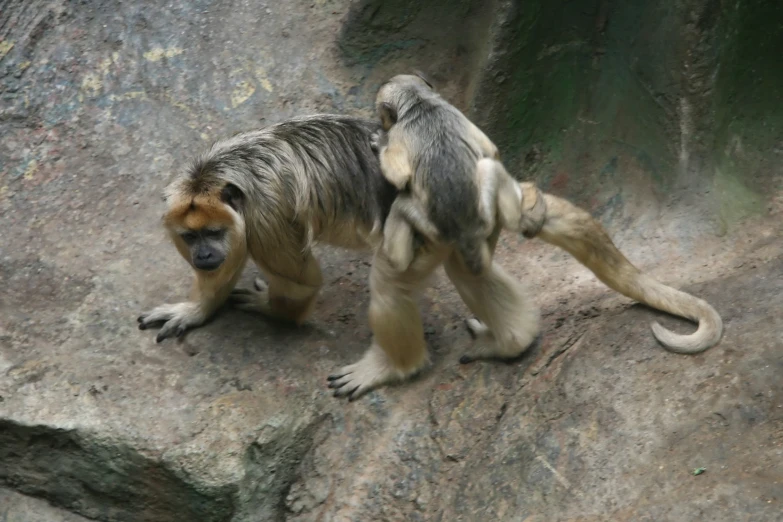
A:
(576, 232)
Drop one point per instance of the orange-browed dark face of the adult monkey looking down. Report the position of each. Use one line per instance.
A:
(206, 228)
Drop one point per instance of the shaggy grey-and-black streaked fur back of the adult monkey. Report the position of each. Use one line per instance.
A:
(310, 175)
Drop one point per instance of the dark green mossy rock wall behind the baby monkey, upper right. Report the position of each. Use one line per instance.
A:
(602, 101)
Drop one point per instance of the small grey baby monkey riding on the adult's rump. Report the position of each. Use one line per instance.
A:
(451, 182)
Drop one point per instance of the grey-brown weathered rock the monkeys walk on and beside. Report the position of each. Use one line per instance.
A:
(102, 100)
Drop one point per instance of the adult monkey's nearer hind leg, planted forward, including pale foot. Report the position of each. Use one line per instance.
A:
(398, 350)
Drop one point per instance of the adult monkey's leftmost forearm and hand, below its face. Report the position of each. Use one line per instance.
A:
(209, 293)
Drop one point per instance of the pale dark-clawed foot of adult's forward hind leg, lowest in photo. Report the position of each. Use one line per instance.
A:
(373, 370)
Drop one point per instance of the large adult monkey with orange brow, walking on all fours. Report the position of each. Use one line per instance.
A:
(270, 194)
